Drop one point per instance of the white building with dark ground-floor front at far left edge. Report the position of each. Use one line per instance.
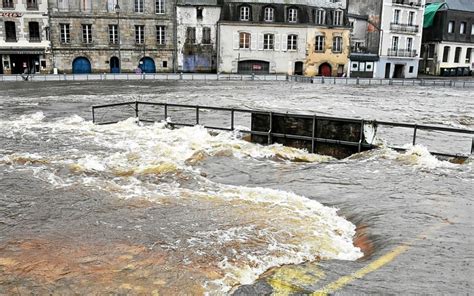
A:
(24, 33)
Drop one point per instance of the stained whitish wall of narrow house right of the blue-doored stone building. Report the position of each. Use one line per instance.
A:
(186, 16)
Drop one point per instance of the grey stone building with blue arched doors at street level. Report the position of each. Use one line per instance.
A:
(112, 36)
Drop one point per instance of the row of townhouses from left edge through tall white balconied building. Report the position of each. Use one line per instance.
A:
(364, 38)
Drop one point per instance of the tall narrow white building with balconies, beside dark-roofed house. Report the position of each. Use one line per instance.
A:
(386, 40)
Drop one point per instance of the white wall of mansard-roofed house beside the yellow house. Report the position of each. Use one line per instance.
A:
(281, 60)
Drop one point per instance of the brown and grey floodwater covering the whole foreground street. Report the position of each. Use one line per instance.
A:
(143, 209)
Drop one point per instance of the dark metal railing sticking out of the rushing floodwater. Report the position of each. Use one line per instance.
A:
(270, 133)
